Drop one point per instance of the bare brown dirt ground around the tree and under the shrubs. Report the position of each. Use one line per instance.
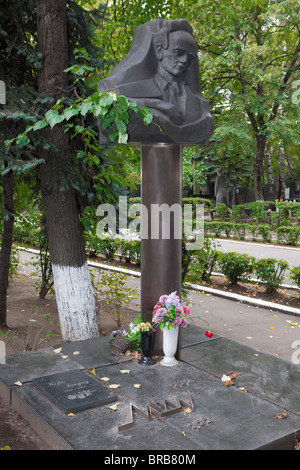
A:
(33, 324)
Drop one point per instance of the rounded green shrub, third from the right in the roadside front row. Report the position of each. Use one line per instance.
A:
(235, 266)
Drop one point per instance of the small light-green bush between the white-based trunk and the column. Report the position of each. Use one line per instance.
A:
(113, 295)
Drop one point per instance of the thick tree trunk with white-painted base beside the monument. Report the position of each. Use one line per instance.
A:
(72, 282)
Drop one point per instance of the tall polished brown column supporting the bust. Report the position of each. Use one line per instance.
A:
(161, 231)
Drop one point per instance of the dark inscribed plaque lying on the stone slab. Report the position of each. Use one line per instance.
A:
(74, 391)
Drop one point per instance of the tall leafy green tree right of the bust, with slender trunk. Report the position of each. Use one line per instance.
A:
(243, 46)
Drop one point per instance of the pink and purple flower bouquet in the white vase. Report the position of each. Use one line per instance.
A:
(168, 310)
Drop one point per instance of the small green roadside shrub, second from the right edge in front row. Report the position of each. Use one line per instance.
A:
(270, 271)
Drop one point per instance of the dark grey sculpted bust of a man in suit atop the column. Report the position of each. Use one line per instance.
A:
(161, 71)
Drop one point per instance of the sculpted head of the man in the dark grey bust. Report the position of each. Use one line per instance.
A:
(180, 53)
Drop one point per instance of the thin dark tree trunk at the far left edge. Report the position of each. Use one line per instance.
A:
(6, 242)
